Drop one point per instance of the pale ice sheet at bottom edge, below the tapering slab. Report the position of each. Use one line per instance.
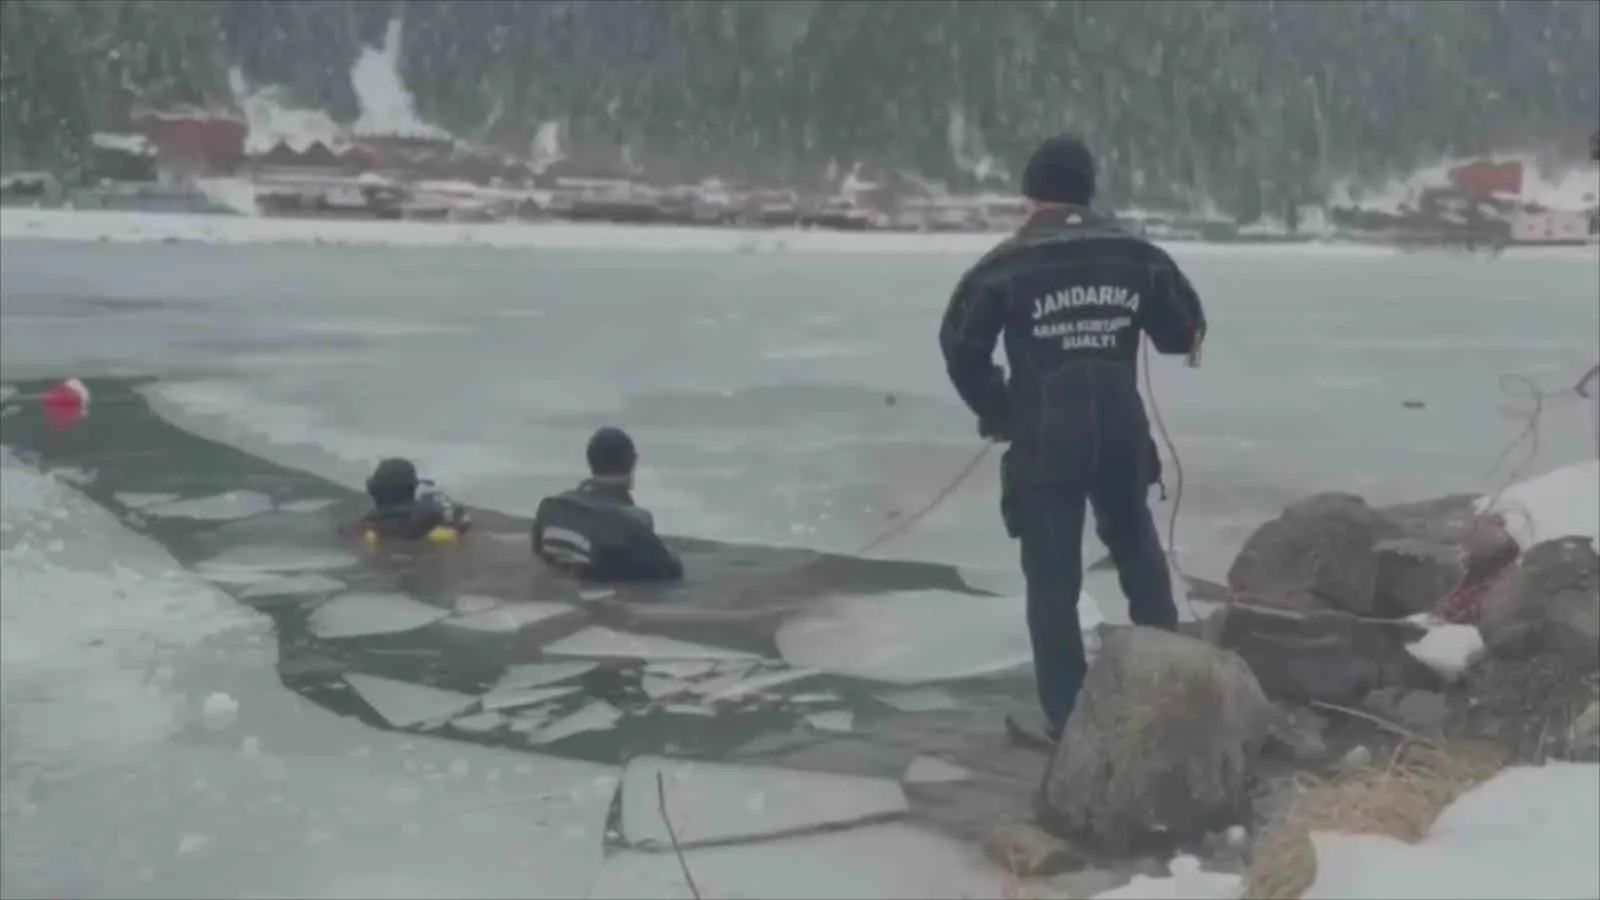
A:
(878, 861)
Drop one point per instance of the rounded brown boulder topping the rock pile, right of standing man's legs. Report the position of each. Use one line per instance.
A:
(1318, 555)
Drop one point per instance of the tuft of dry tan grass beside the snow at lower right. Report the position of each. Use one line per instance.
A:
(1399, 800)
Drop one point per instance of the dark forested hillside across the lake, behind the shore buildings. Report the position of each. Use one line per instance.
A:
(1244, 108)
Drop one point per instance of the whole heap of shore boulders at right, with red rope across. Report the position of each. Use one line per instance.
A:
(1348, 632)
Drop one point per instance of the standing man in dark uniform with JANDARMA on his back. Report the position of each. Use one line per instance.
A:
(1073, 294)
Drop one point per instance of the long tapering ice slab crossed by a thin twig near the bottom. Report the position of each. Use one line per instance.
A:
(713, 802)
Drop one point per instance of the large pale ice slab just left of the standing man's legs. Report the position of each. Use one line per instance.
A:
(910, 637)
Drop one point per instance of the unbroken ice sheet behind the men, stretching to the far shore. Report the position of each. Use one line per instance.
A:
(796, 398)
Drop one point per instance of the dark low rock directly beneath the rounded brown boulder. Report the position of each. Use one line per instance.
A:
(1327, 656)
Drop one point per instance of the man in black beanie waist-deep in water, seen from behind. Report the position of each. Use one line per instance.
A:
(596, 531)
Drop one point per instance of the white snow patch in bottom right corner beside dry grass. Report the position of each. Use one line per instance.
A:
(1530, 832)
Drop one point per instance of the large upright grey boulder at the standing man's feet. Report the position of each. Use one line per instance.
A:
(1162, 744)
